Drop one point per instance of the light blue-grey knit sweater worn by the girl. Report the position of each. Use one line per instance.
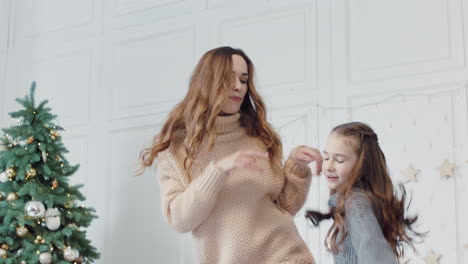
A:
(365, 242)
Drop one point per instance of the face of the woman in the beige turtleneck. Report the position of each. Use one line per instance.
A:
(236, 95)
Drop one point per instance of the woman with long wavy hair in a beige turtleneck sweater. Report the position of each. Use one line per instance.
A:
(220, 170)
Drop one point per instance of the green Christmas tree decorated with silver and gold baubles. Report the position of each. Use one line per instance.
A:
(41, 219)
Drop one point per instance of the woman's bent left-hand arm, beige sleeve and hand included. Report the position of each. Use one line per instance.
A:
(187, 205)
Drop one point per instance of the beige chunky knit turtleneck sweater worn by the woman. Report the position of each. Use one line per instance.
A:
(241, 217)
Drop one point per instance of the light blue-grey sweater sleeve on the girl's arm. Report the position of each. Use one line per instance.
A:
(366, 235)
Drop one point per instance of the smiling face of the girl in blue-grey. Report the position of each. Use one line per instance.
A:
(339, 159)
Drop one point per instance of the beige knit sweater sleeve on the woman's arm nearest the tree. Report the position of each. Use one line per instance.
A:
(184, 206)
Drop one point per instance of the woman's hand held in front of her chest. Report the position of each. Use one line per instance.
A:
(241, 160)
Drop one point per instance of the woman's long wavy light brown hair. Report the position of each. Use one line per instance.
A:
(195, 115)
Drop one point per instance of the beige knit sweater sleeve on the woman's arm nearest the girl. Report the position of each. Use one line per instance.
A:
(296, 186)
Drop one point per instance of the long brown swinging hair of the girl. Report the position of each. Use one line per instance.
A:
(370, 176)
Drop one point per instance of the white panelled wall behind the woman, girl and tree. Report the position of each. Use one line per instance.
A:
(113, 69)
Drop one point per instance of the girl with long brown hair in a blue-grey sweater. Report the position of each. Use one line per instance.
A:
(369, 224)
